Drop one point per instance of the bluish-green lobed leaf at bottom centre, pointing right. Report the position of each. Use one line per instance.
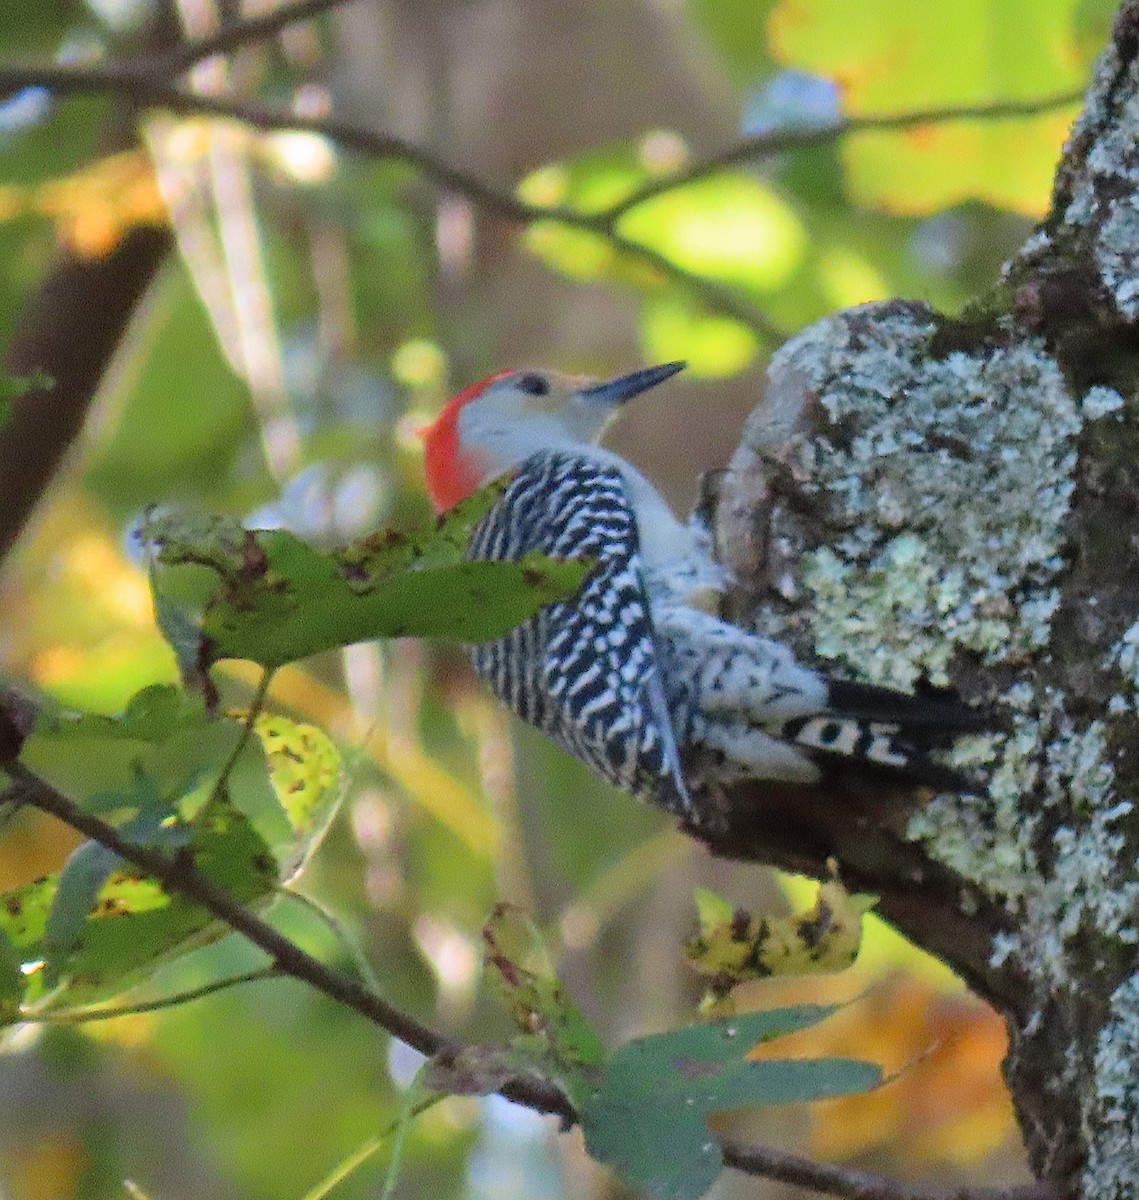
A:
(649, 1117)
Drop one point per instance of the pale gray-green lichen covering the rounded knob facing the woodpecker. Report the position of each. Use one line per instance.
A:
(950, 482)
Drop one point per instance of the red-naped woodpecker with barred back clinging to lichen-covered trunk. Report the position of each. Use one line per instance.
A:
(634, 675)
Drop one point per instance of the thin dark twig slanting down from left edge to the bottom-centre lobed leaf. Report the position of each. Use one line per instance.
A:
(181, 874)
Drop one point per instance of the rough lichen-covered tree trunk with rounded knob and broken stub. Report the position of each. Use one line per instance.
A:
(958, 501)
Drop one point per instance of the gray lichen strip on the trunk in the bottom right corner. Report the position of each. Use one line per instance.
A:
(1113, 1167)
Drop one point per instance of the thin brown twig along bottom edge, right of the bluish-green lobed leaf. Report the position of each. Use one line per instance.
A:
(852, 1185)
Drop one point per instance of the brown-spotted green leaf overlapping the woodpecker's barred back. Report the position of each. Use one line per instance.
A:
(277, 599)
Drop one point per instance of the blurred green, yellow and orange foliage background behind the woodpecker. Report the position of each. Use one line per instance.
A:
(320, 309)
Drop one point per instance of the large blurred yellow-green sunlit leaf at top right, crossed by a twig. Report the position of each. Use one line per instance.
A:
(897, 58)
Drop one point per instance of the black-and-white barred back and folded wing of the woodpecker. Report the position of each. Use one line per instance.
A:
(586, 671)
